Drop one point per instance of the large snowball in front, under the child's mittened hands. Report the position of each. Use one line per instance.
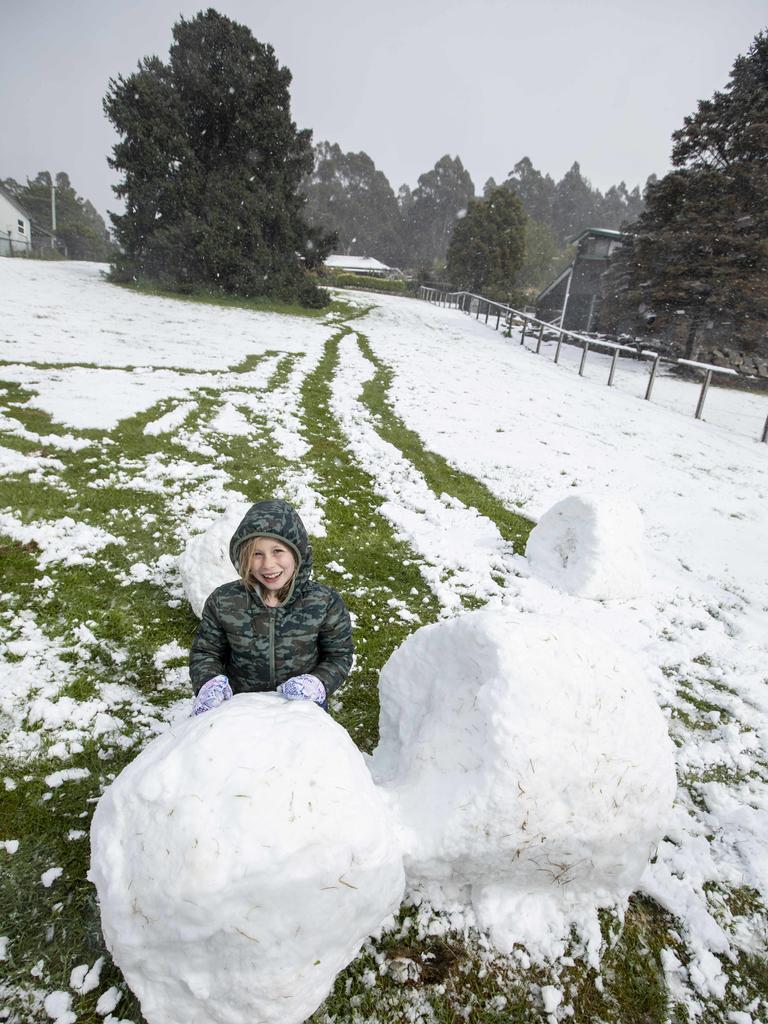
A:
(241, 861)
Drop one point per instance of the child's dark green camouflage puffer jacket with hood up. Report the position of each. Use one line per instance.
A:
(258, 647)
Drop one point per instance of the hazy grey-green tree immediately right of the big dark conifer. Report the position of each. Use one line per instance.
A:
(348, 195)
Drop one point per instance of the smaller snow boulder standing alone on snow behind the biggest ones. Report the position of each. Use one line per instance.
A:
(591, 547)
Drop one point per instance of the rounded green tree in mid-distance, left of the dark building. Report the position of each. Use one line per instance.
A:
(487, 245)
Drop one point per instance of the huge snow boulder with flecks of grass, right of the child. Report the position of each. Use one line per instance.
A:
(530, 769)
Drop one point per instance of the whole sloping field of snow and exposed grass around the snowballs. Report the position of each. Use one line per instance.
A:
(130, 423)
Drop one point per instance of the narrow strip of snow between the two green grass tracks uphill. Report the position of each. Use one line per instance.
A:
(467, 562)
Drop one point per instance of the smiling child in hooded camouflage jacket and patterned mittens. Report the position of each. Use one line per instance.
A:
(276, 628)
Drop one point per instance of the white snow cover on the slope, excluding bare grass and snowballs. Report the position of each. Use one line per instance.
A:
(532, 432)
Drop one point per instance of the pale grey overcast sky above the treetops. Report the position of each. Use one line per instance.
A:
(491, 81)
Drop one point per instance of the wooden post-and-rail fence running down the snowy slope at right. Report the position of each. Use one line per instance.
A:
(471, 304)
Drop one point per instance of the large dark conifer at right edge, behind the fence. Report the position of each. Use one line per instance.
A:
(701, 247)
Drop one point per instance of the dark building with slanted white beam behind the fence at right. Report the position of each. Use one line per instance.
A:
(573, 300)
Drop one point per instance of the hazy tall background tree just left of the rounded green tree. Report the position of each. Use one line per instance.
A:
(435, 206)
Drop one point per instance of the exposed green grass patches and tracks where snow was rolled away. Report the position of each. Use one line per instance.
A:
(53, 930)
